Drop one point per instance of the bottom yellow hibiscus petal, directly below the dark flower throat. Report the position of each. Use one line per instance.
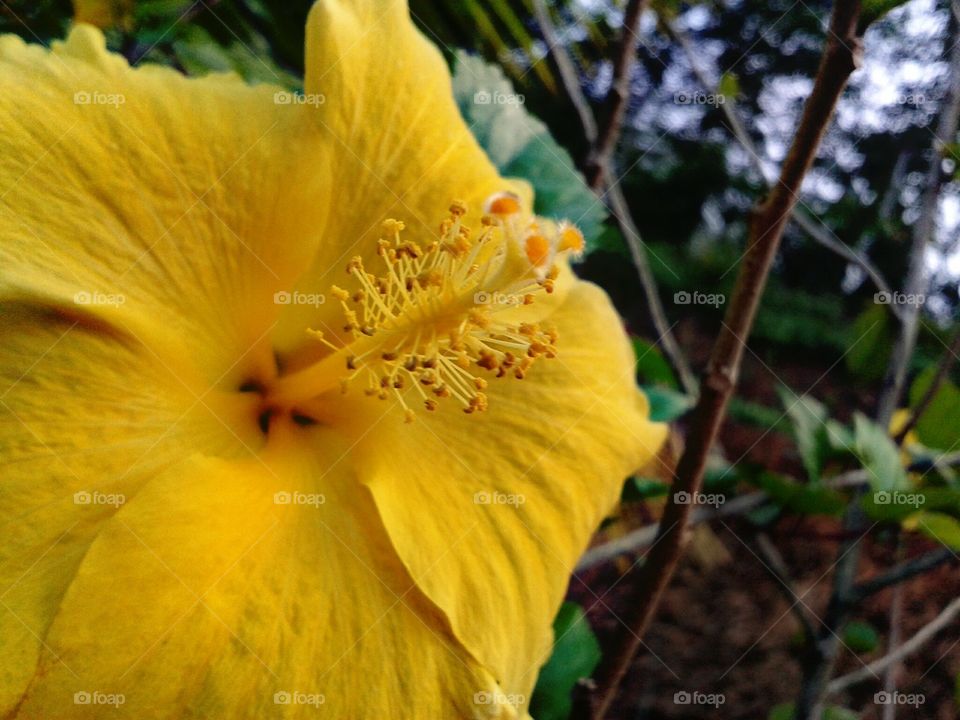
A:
(205, 597)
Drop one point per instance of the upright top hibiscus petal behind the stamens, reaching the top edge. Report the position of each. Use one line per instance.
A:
(403, 149)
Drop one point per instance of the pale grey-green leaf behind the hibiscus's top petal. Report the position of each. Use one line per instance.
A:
(521, 146)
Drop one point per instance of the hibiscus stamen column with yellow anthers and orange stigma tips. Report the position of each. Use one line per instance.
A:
(434, 319)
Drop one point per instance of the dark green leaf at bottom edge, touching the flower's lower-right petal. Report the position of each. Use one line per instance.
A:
(576, 653)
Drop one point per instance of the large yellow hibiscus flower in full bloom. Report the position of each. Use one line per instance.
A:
(219, 304)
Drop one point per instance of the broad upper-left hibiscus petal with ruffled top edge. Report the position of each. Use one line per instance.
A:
(146, 199)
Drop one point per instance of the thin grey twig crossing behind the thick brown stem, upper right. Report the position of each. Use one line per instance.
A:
(811, 226)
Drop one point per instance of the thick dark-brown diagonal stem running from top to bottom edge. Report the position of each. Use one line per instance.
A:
(839, 59)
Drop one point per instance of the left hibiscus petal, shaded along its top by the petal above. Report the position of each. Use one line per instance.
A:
(87, 417)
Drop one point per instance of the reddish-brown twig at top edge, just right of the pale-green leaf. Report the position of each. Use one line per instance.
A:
(597, 165)
